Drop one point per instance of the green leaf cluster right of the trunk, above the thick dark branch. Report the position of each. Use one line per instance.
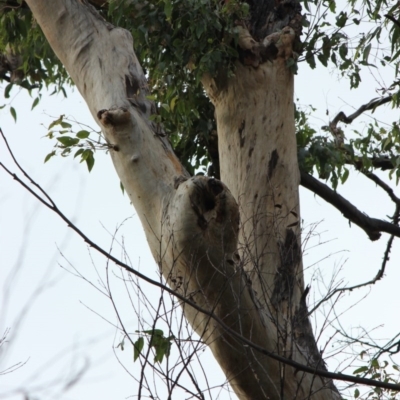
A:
(364, 151)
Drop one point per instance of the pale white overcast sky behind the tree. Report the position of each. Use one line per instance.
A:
(59, 323)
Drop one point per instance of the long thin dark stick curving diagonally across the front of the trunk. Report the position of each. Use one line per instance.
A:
(300, 367)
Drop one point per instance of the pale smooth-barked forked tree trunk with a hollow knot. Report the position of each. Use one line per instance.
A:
(248, 273)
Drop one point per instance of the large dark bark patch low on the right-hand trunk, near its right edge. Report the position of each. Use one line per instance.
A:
(285, 278)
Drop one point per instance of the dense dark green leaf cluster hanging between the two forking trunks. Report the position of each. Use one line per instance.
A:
(177, 42)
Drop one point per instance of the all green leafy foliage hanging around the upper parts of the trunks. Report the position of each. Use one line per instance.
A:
(179, 41)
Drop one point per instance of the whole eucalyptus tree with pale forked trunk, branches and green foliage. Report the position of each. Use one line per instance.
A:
(195, 102)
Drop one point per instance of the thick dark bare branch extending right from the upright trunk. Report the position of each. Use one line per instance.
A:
(372, 226)
